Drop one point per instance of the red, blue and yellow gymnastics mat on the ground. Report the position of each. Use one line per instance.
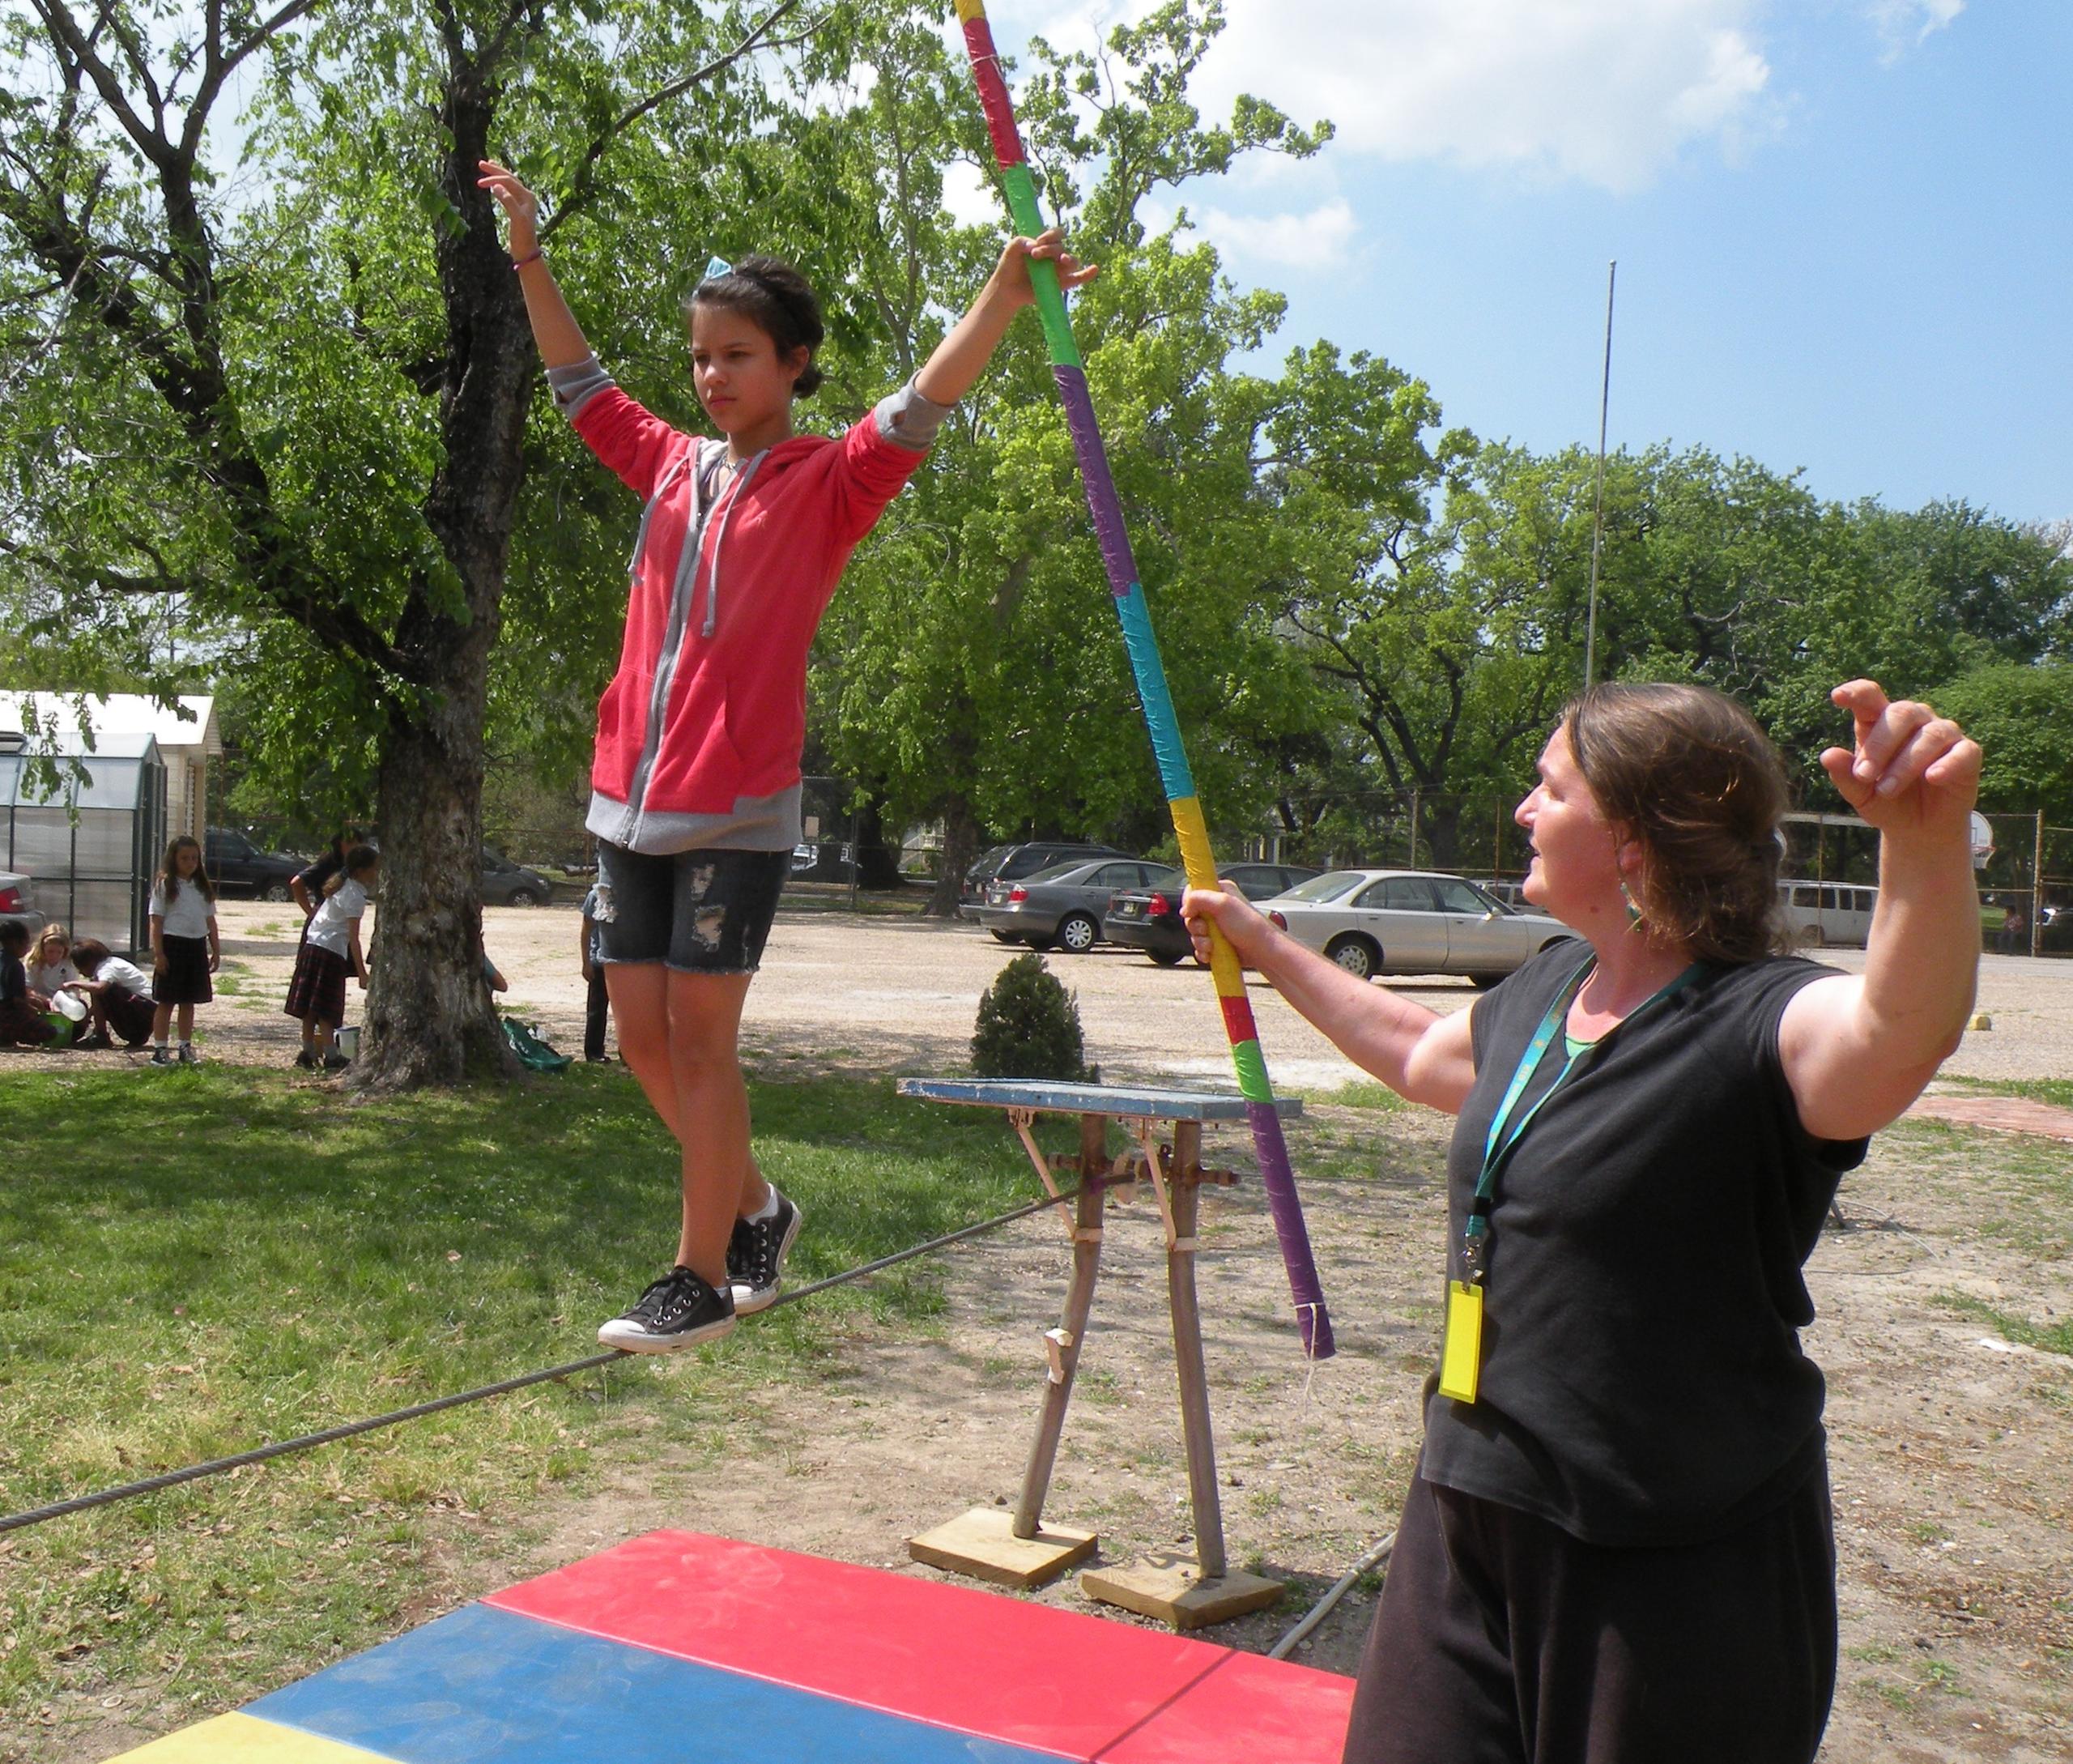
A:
(679, 1645)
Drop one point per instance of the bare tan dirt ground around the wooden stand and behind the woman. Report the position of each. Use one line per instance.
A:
(1954, 1483)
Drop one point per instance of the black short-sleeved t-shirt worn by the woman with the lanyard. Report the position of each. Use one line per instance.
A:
(1643, 1379)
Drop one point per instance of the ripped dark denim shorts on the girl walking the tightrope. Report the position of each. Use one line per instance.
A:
(702, 913)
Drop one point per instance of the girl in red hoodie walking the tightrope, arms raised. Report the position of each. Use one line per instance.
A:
(695, 789)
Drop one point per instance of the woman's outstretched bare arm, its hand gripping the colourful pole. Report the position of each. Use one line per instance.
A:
(1419, 1054)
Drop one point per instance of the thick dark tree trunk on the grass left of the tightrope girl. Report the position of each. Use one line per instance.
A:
(430, 1019)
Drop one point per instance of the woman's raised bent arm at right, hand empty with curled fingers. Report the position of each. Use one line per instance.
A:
(1858, 1050)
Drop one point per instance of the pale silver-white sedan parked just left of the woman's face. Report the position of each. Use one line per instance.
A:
(1411, 923)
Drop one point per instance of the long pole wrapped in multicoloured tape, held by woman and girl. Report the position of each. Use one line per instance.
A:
(1154, 693)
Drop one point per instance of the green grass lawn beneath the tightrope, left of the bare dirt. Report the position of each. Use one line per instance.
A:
(196, 1263)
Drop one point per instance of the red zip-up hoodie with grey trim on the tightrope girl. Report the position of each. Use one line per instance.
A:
(702, 729)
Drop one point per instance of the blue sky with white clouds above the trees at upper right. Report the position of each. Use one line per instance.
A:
(1844, 227)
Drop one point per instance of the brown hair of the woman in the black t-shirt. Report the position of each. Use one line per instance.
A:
(1699, 787)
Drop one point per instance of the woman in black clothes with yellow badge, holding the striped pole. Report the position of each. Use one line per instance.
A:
(1618, 1543)
